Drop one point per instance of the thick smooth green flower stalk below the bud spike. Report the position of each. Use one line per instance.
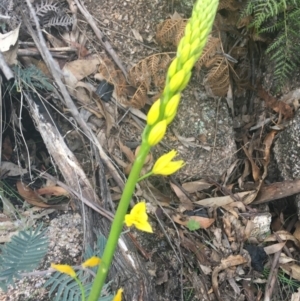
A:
(117, 224)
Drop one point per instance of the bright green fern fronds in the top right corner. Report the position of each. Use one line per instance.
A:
(282, 18)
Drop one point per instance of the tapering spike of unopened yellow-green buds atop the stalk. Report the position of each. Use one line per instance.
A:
(190, 47)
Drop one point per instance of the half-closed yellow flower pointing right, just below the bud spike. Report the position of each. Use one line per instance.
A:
(165, 166)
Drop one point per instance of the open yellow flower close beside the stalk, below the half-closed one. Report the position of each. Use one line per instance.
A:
(139, 218)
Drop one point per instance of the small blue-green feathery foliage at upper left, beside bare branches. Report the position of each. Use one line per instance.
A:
(31, 77)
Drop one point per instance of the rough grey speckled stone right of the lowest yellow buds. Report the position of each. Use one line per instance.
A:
(208, 122)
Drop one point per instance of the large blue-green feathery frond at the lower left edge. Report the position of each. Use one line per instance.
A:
(23, 253)
